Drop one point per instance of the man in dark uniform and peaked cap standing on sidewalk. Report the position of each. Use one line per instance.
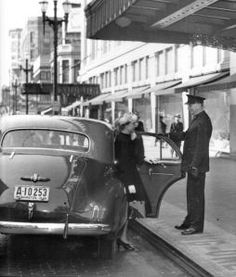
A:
(195, 163)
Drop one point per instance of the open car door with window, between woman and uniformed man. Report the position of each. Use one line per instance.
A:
(161, 169)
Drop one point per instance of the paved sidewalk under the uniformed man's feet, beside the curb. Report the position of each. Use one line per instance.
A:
(215, 249)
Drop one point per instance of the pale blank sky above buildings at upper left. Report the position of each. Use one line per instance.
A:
(14, 14)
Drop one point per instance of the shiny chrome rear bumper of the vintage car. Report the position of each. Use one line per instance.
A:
(7, 227)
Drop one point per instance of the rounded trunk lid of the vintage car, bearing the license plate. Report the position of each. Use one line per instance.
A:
(39, 187)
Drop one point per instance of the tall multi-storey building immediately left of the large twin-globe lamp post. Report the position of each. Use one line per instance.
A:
(36, 48)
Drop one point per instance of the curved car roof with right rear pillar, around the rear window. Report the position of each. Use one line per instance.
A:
(100, 133)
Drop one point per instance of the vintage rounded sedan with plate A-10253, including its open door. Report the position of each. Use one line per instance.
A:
(57, 176)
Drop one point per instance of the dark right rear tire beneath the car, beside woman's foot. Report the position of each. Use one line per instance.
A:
(106, 248)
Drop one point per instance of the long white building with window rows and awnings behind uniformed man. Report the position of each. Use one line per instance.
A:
(153, 79)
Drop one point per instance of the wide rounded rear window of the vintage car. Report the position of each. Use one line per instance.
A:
(46, 139)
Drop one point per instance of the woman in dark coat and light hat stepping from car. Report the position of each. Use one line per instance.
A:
(128, 157)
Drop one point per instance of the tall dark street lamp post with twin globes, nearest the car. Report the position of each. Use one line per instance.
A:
(54, 23)
